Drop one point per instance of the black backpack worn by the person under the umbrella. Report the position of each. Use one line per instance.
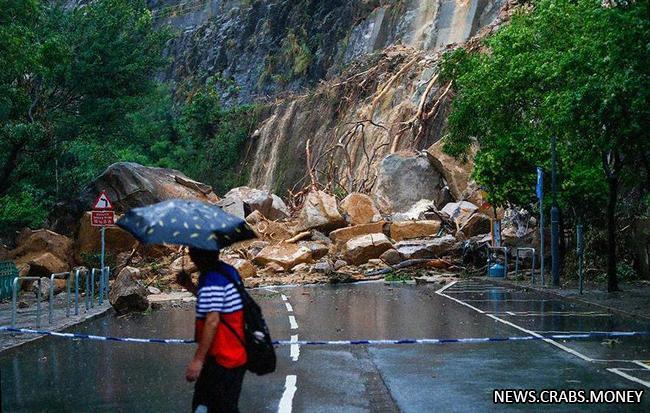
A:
(257, 339)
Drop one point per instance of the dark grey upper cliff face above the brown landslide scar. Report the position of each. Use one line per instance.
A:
(266, 47)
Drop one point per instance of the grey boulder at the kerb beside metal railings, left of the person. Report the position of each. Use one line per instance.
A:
(126, 293)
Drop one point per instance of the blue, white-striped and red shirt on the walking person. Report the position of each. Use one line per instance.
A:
(217, 294)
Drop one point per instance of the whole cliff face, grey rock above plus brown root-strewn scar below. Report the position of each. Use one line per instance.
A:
(356, 79)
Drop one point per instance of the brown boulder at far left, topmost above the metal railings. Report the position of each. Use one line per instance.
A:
(40, 241)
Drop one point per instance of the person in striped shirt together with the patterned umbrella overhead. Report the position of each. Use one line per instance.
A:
(218, 365)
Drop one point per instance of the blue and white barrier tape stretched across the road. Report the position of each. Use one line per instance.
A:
(338, 342)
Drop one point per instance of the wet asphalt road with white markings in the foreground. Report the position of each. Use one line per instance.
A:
(56, 374)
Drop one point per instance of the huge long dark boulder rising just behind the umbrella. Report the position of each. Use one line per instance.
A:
(131, 185)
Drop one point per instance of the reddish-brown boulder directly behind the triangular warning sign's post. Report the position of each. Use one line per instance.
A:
(89, 240)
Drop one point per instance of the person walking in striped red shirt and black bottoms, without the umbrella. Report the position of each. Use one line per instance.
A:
(219, 362)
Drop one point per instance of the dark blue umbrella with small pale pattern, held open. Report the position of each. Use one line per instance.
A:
(181, 222)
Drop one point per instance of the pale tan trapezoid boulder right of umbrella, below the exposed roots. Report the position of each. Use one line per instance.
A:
(319, 212)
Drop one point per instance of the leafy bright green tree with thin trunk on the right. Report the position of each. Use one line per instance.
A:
(577, 70)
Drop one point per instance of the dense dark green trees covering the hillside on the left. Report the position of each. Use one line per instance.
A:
(77, 93)
